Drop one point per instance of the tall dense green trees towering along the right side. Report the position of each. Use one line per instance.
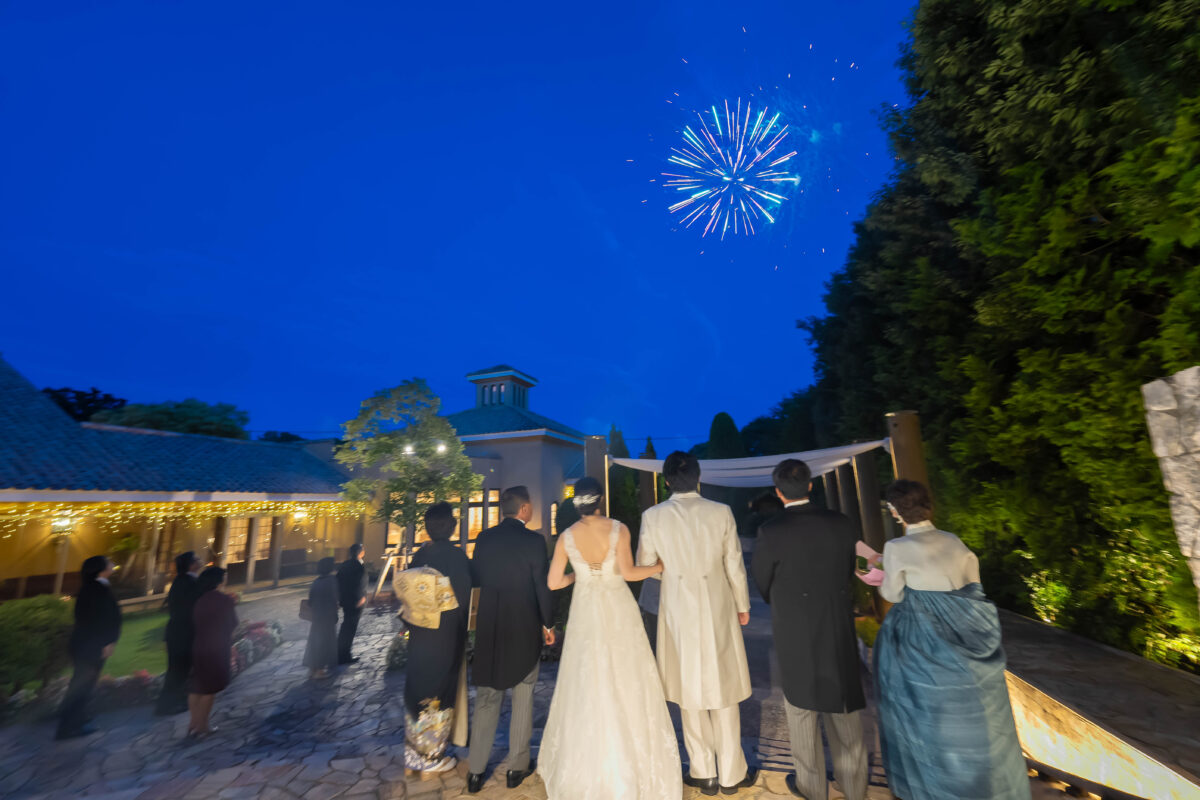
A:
(1034, 261)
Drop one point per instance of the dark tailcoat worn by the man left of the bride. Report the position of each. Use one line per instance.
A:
(509, 567)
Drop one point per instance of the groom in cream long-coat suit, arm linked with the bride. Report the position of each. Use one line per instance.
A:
(705, 601)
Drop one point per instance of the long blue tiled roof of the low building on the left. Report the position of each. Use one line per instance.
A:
(41, 448)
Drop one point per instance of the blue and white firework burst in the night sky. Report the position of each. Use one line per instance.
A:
(735, 176)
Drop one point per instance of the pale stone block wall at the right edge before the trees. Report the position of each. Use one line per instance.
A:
(1173, 413)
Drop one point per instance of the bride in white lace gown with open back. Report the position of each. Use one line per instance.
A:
(609, 733)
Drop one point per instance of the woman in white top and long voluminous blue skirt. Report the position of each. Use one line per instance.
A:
(946, 725)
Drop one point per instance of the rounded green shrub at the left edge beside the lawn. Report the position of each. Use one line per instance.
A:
(34, 636)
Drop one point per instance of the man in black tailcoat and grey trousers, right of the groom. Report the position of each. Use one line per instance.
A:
(805, 567)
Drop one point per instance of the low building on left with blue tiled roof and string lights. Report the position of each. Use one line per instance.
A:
(71, 490)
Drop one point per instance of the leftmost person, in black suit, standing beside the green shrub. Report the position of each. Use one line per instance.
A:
(97, 630)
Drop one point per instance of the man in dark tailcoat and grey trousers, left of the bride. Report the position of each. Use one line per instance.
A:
(515, 618)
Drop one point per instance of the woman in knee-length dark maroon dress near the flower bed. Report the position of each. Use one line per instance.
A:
(212, 648)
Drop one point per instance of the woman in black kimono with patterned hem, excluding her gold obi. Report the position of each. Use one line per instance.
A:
(435, 654)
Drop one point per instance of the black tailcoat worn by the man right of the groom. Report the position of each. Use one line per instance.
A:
(805, 568)
